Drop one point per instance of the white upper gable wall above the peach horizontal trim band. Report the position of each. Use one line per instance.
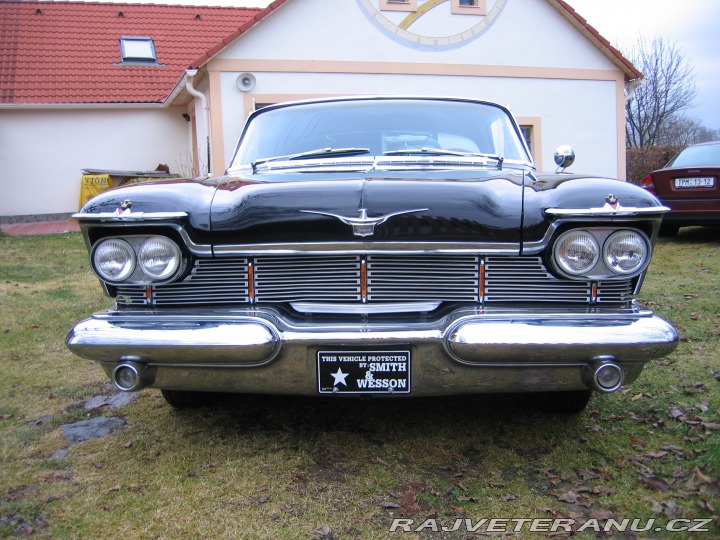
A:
(526, 33)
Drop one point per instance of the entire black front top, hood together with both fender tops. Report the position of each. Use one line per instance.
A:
(475, 207)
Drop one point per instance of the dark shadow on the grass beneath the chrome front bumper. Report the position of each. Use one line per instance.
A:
(380, 419)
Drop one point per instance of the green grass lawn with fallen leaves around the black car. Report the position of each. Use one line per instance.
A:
(267, 467)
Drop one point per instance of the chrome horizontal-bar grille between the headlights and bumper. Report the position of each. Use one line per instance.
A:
(390, 278)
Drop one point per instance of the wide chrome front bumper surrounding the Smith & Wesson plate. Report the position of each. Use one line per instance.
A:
(466, 351)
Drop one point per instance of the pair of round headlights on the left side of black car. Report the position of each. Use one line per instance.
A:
(136, 259)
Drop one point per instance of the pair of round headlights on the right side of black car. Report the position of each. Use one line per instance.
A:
(598, 253)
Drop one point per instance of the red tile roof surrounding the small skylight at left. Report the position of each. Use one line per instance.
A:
(69, 52)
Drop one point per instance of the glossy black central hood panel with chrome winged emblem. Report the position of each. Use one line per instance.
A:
(458, 206)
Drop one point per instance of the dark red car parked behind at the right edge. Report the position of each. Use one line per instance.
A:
(688, 185)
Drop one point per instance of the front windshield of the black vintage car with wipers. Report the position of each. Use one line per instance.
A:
(380, 127)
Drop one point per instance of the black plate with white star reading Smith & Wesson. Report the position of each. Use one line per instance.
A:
(363, 372)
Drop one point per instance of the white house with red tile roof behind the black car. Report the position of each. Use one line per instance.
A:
(130, 86)
